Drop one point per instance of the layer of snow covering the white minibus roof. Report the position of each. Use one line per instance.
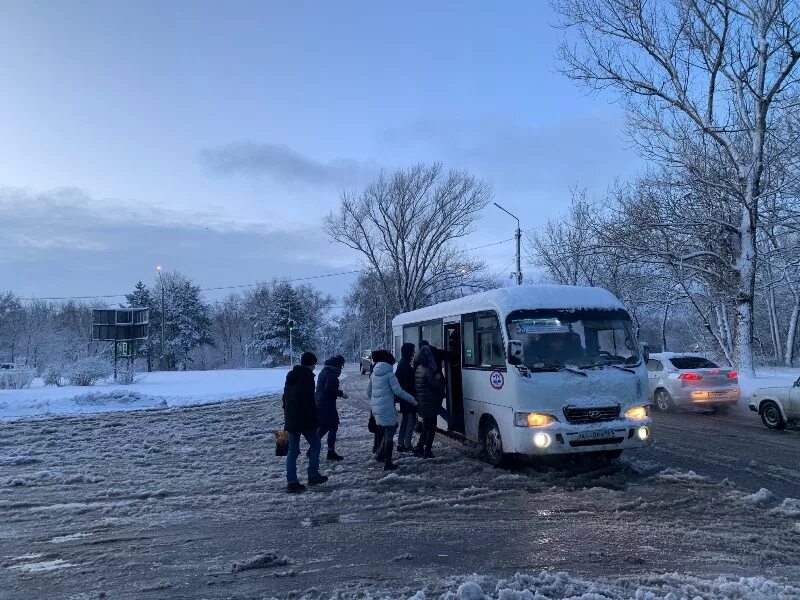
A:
(508, 299)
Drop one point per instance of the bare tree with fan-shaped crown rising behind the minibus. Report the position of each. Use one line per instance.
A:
(406, 227)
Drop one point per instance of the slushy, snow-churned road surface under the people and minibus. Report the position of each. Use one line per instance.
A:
(163, 504)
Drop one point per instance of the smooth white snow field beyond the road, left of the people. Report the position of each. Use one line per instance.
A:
(159, 389)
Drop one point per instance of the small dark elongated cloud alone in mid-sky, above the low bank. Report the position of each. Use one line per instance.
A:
(283, 164)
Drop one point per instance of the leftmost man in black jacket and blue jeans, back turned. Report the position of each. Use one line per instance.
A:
(300, 418)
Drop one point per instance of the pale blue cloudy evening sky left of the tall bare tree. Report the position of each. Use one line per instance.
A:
(212, 137)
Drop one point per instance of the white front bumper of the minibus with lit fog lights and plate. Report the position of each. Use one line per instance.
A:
(601, 437)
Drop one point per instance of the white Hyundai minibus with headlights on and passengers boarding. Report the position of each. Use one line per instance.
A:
(537, 370)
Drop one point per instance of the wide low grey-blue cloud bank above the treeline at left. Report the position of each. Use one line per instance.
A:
(67, 243)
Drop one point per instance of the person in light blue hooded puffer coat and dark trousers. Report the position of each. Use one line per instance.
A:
(383, 387)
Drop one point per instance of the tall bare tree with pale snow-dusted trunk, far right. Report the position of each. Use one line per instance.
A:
(711, 76)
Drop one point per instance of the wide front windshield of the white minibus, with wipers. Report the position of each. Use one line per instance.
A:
(554, 339)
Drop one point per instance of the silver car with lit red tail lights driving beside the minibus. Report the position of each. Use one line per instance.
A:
(689, 380)
